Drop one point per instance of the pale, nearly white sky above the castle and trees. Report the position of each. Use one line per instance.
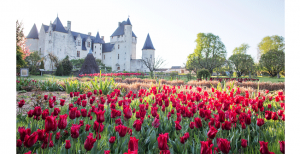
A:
(173, 25)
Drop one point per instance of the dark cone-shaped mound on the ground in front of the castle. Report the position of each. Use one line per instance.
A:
(89, 65)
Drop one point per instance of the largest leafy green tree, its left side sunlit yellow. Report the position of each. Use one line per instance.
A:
(210, 52)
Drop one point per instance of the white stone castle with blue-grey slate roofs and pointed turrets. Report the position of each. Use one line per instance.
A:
(119, 53)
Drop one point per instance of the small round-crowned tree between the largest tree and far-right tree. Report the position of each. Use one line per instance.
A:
(242, 63)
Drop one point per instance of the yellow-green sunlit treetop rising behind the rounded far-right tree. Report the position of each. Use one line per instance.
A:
(268, 43)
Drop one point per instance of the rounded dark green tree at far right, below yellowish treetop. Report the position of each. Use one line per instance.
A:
(273, 62)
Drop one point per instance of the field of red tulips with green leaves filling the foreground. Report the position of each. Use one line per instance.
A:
(159, 120)
